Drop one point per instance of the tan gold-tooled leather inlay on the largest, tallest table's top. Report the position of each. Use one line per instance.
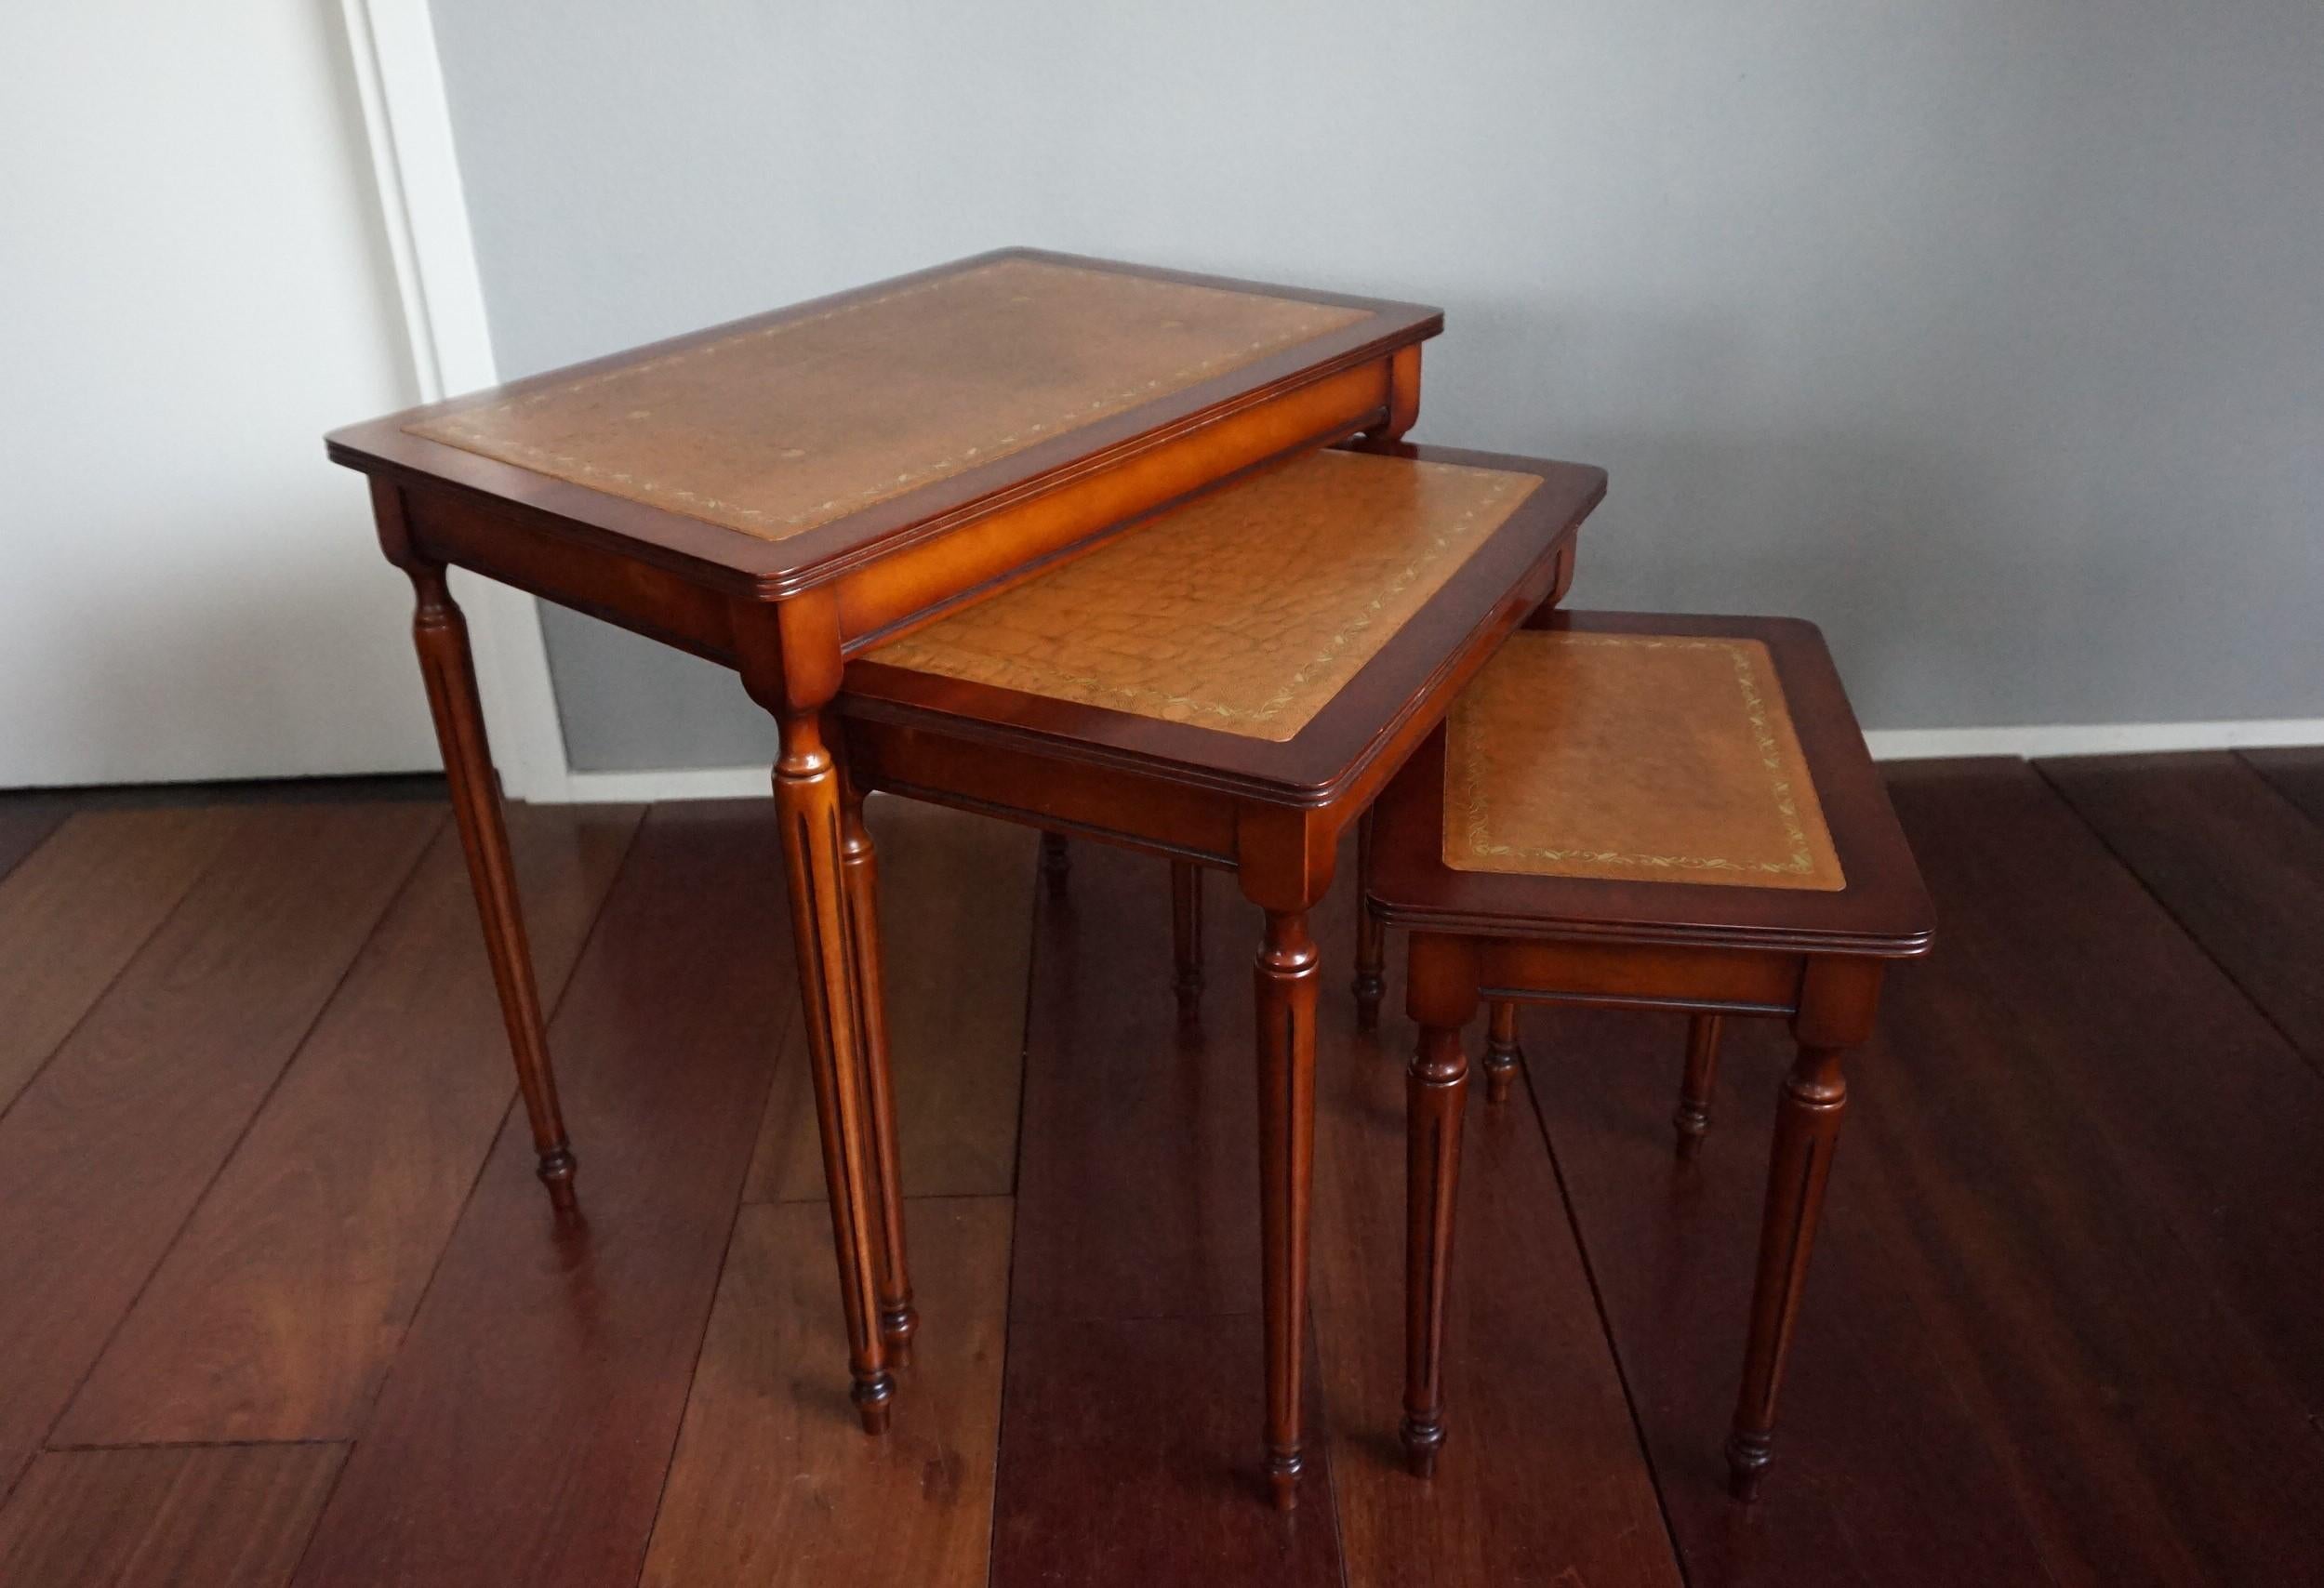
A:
(810, 420)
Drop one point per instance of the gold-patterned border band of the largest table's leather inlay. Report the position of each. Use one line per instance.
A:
(461, 431)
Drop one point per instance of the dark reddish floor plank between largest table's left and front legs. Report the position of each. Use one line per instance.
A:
(529, 1422)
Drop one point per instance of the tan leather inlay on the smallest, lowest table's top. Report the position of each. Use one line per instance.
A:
(1637, 759)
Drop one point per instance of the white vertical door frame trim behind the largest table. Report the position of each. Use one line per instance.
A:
(452, 350)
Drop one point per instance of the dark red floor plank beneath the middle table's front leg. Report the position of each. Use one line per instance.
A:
(1133, 1408)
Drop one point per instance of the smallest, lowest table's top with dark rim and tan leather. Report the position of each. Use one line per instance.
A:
(1735, 743)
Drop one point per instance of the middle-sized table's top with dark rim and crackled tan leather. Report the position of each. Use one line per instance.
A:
(1265, 636)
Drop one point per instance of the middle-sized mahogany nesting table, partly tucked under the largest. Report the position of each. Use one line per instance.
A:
(1231, 685)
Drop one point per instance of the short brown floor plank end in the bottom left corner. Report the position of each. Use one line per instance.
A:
(182, 1517)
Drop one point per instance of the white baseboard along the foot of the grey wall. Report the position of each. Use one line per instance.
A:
(1888, 745)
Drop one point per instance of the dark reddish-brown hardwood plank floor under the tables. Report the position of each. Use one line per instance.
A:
(280, 1301)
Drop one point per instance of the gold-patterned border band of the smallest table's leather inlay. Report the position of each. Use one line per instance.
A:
(1477, 808)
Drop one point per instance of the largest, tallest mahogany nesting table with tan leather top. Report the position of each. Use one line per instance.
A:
(787, 492)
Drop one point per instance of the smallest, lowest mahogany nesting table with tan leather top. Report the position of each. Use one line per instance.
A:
(1656, 813)
